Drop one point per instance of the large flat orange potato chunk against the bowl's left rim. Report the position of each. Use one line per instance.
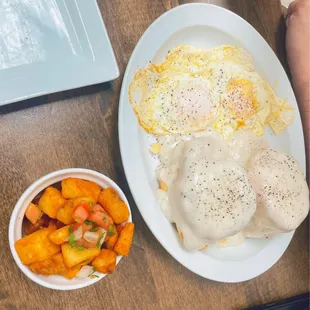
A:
(36, 247)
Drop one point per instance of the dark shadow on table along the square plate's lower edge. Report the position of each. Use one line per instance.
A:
(45, 99)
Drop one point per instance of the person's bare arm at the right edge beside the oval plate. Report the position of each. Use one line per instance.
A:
(298, 55)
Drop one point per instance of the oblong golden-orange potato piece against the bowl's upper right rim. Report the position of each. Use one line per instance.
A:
(115, 207)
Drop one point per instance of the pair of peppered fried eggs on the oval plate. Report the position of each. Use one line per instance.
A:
(195, 88)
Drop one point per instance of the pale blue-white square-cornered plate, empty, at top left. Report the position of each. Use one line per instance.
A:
(50, 46)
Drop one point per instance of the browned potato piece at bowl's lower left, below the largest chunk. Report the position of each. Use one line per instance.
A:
(50, 266)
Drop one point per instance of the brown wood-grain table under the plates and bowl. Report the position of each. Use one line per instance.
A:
(78, 128)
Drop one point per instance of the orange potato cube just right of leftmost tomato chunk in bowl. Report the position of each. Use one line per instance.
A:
(51, 201)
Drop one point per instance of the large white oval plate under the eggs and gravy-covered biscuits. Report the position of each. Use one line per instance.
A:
(202, 25)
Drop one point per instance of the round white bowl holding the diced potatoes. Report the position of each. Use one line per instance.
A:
(15, 227)
